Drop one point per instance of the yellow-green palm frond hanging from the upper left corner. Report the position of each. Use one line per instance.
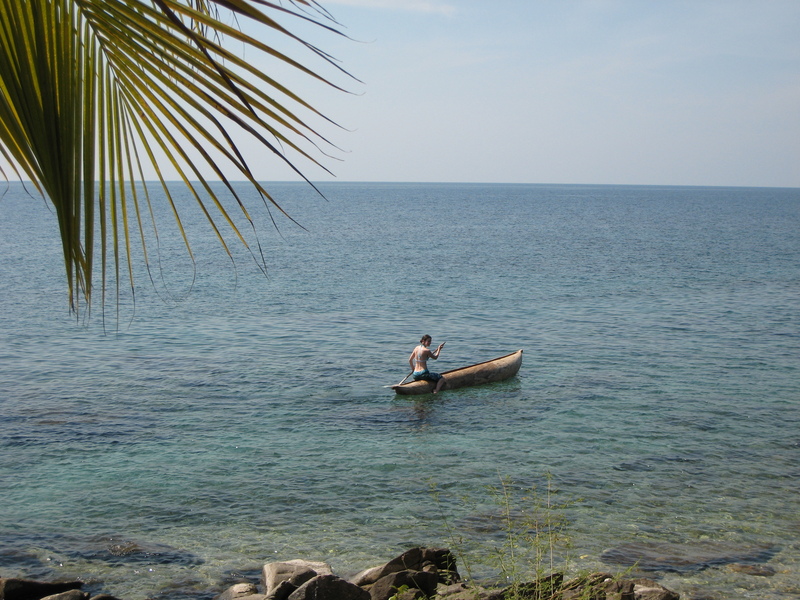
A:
(93, 90)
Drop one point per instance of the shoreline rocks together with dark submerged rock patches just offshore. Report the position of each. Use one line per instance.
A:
(423, 572)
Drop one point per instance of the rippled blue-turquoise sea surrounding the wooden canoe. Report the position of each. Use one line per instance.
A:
(246, 420)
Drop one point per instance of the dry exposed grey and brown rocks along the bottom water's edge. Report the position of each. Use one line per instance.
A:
(418, 573)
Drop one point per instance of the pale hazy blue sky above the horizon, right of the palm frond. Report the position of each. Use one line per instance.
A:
(623, 92)
